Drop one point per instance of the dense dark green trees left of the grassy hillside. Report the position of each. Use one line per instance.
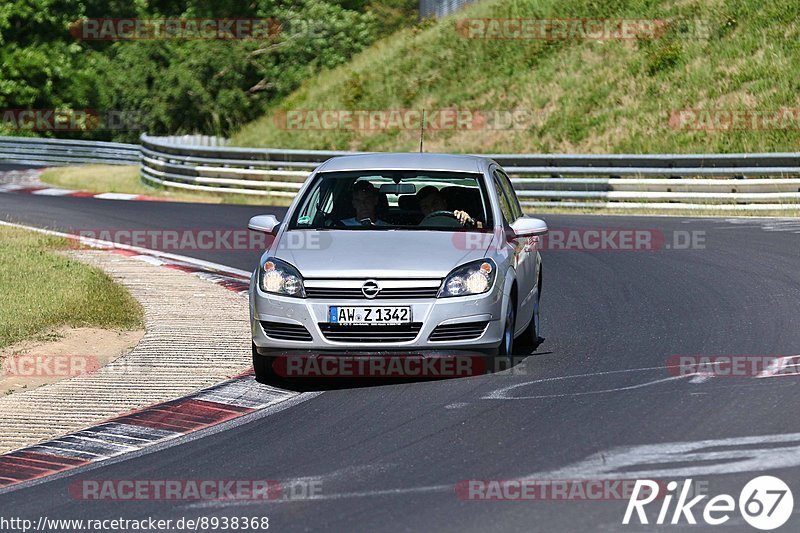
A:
(175, 87)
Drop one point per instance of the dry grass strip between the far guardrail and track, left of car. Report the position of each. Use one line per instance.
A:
(125, 179)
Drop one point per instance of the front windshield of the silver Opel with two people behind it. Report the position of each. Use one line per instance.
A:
(408, 200)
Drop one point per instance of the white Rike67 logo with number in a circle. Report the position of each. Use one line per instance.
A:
(765, 503)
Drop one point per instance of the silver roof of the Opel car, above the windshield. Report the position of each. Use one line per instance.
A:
(406, 161)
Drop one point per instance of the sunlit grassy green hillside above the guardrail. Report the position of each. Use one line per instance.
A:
(581, 95)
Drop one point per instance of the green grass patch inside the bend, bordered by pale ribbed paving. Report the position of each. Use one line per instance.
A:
(43, 290)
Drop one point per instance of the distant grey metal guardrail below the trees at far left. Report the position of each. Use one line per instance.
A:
(53, 152)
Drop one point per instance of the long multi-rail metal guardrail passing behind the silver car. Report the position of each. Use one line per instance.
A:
(693, 181)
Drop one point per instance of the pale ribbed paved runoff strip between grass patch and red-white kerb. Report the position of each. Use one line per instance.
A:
(197, 335)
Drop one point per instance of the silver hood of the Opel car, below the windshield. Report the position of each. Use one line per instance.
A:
(379, 254)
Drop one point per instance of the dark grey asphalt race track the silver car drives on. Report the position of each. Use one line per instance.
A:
(581, 407)
